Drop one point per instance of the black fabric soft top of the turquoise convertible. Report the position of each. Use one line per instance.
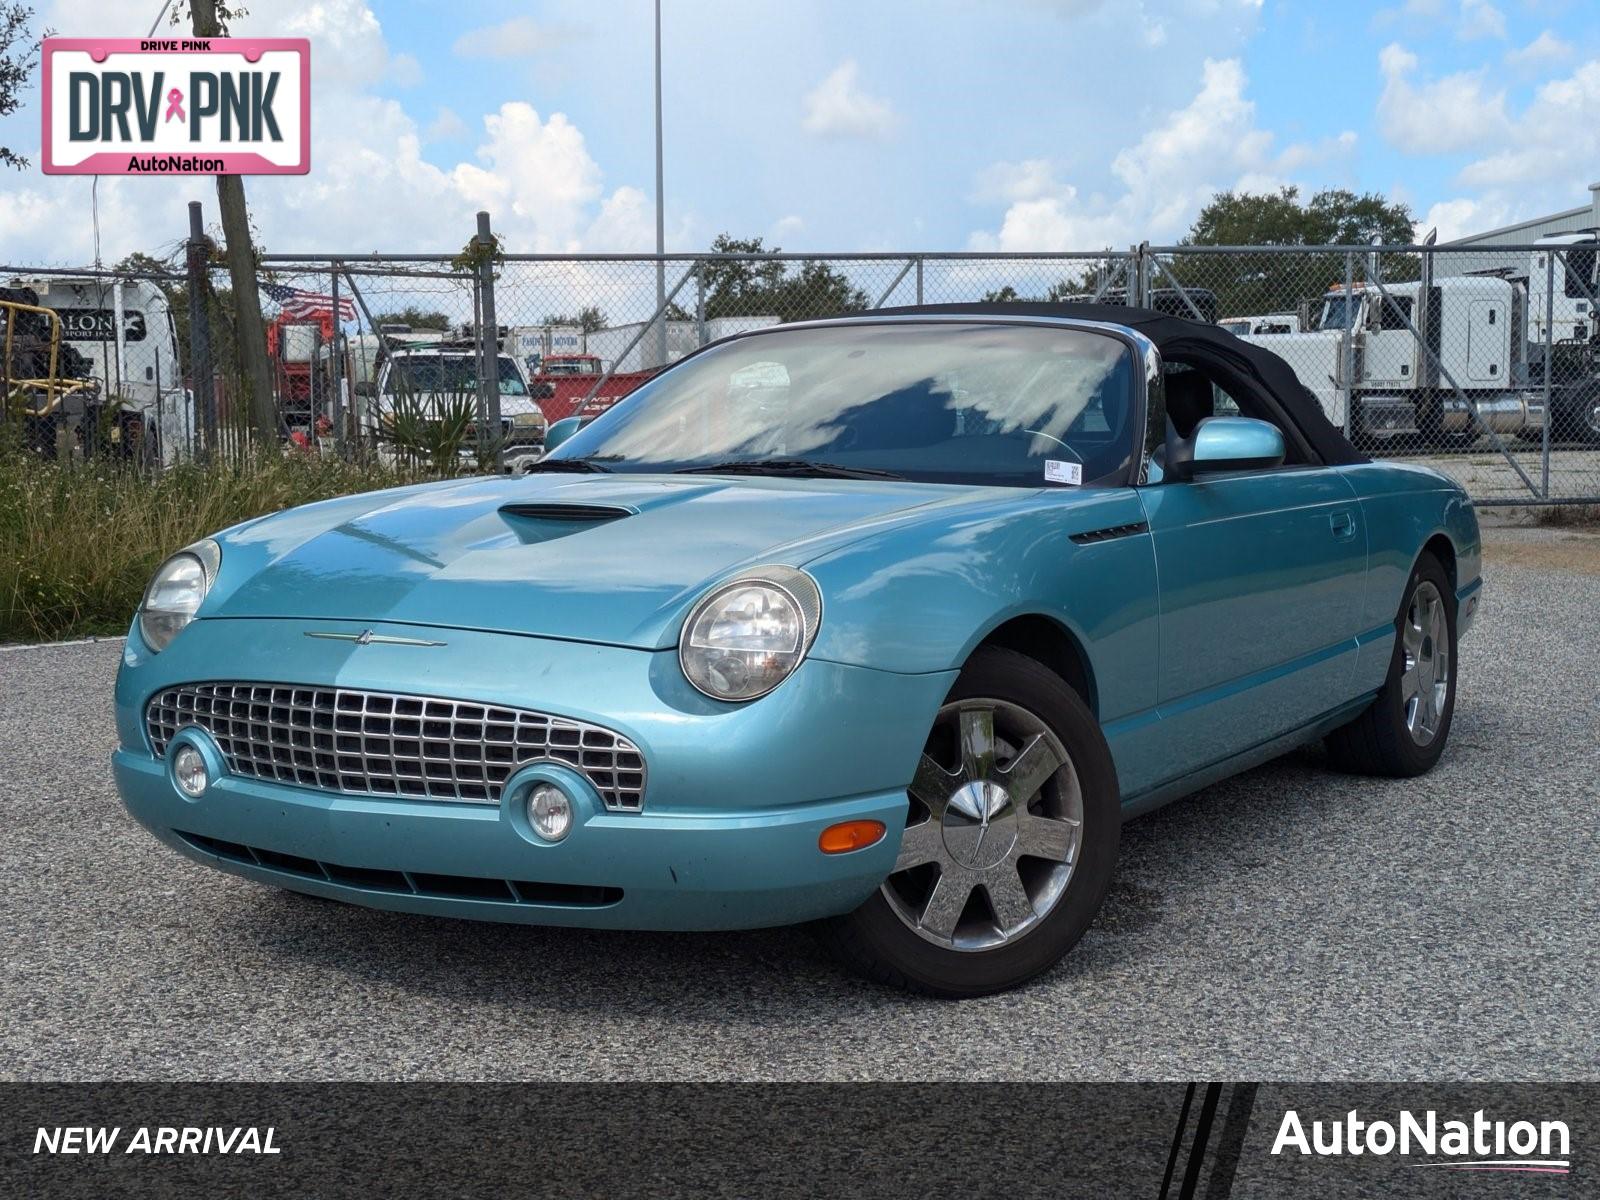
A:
(1180, 340)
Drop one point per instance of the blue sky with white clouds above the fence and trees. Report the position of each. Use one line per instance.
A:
(833, 126)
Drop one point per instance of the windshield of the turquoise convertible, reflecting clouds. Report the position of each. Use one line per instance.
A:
(1009, 406)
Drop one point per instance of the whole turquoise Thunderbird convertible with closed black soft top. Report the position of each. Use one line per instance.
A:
(886, 623)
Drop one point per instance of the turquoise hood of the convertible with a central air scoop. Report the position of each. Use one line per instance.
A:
(591, 559)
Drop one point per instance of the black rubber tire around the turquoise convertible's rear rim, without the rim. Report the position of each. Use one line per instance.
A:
(1382, 742)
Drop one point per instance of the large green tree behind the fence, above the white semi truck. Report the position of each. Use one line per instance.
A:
(1258, 284)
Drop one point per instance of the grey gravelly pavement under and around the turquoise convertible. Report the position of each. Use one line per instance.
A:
(1290, 924)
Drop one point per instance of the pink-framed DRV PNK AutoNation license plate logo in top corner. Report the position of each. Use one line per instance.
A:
(177, 106)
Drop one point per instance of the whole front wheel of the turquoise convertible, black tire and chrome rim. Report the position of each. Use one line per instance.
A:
(1010, 839)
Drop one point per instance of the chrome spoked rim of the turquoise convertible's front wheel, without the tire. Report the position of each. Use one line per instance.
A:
(994, 833)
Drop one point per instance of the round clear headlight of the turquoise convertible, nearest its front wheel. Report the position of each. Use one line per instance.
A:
(750, 634)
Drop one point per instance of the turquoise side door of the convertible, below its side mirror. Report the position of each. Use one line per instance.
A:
(1262, 578)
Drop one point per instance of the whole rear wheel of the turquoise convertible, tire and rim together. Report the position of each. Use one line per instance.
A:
(1404, 732)
